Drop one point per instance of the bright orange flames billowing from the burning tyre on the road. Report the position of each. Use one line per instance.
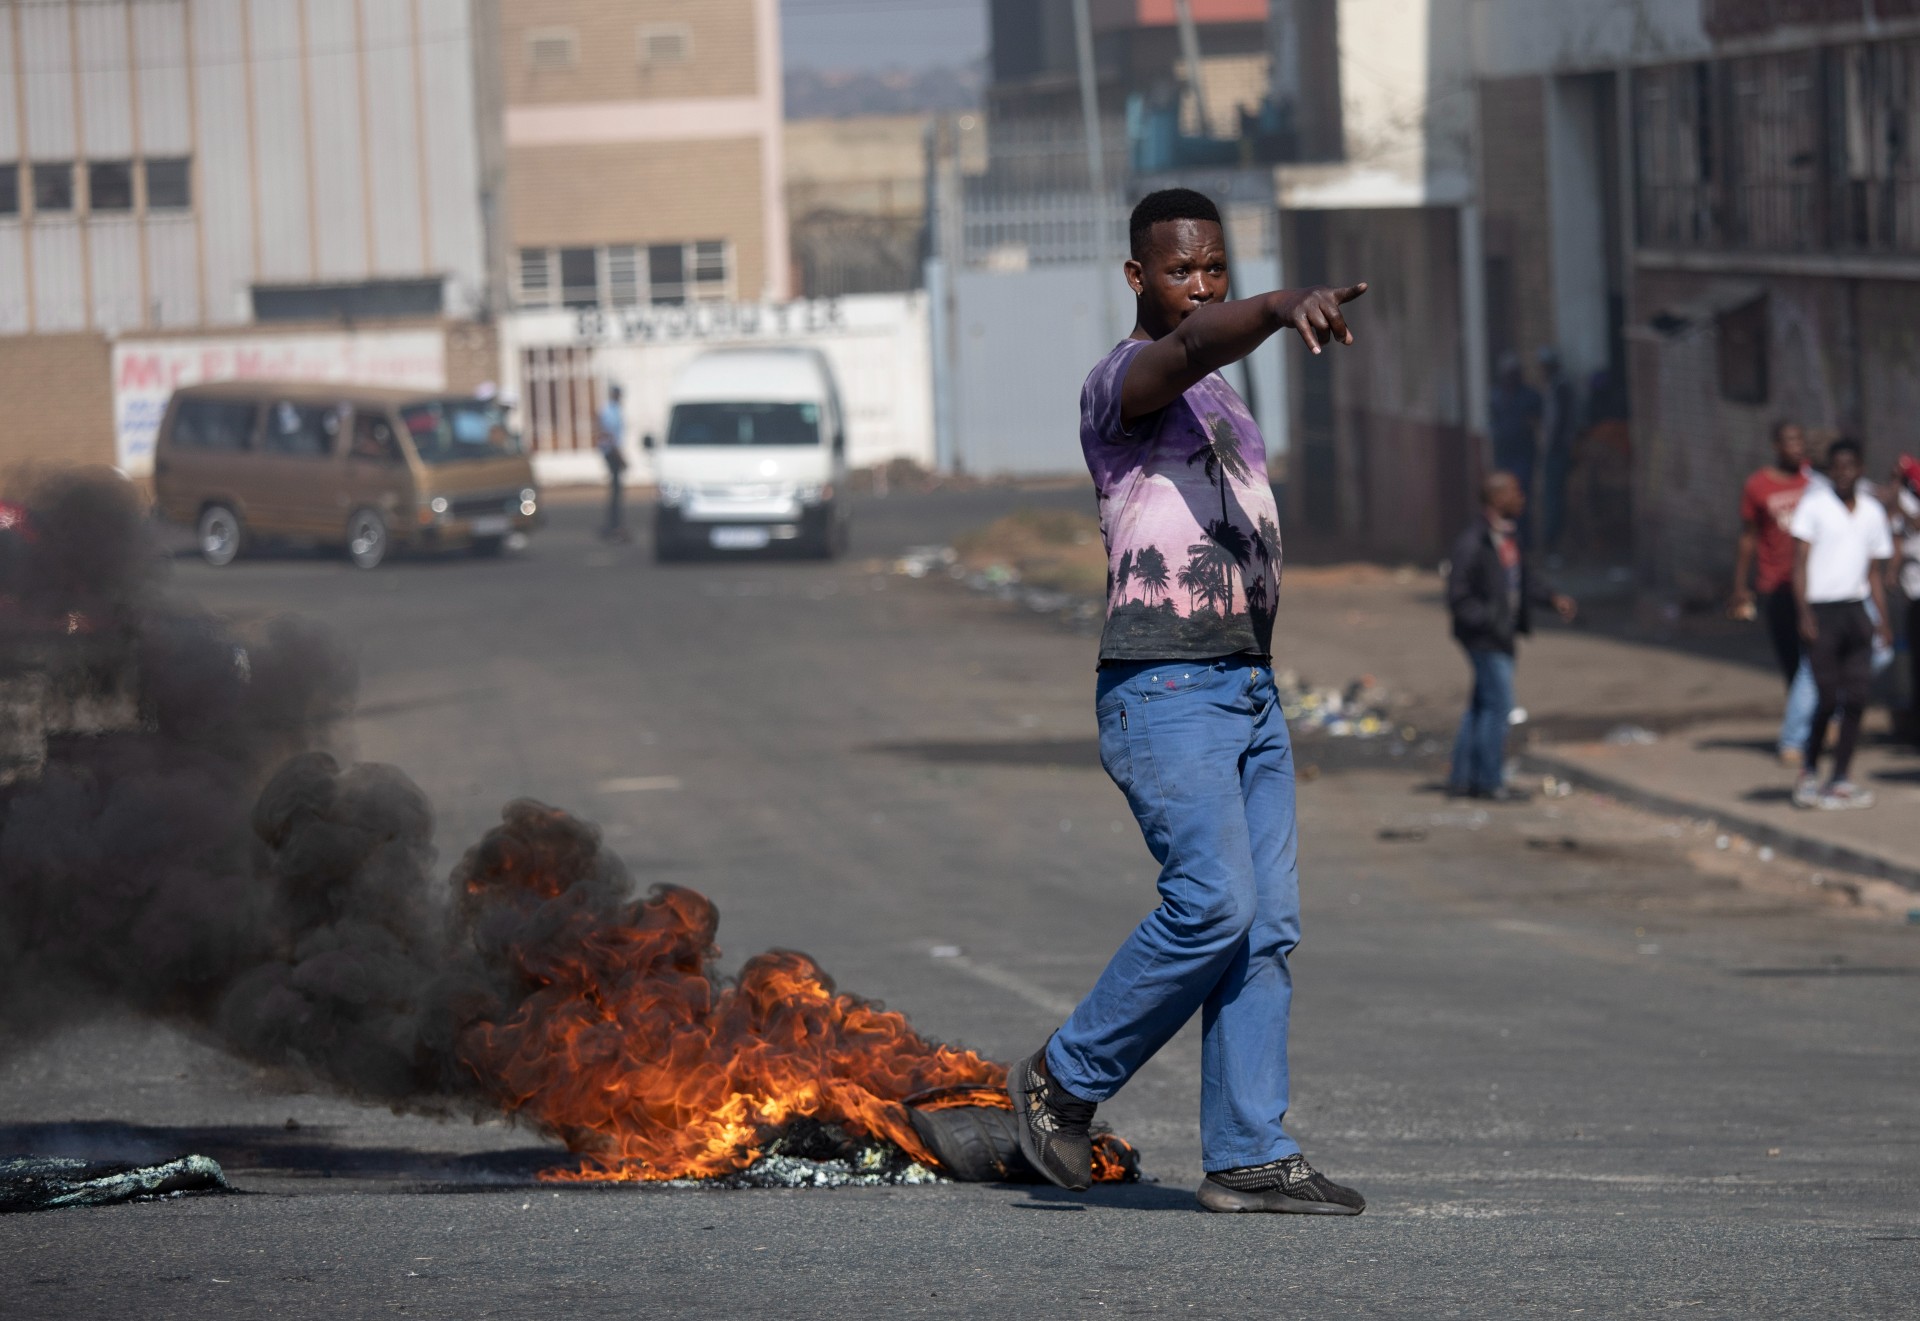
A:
(633, 1053)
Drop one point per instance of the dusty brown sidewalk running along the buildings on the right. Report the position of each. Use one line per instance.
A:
(1712, 723)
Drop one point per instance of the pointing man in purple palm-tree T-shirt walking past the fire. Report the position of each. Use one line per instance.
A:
(1191, 727)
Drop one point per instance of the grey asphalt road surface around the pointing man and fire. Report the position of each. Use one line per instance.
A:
(1573, 1072)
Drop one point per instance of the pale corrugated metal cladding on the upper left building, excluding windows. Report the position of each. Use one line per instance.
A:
(331, 141)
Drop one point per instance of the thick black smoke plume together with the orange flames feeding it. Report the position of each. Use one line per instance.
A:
(176, 836)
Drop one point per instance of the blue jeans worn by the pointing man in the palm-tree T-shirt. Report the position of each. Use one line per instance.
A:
(1203, 756)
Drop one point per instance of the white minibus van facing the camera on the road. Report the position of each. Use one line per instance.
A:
(756, 456)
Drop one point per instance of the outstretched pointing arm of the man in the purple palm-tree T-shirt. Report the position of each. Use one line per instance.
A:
(1226, 333)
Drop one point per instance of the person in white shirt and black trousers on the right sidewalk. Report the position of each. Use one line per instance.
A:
(1842, 546)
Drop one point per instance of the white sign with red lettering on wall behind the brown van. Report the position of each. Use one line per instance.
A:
(149, 372)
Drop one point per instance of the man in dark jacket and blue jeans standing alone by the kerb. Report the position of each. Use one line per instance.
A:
(1493, 590)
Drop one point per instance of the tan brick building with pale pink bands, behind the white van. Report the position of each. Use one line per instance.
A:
(644, 153)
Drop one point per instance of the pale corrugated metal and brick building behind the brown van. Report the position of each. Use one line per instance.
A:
(181, 172)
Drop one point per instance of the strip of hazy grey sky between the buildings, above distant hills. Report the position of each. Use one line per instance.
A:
(871, 36)
